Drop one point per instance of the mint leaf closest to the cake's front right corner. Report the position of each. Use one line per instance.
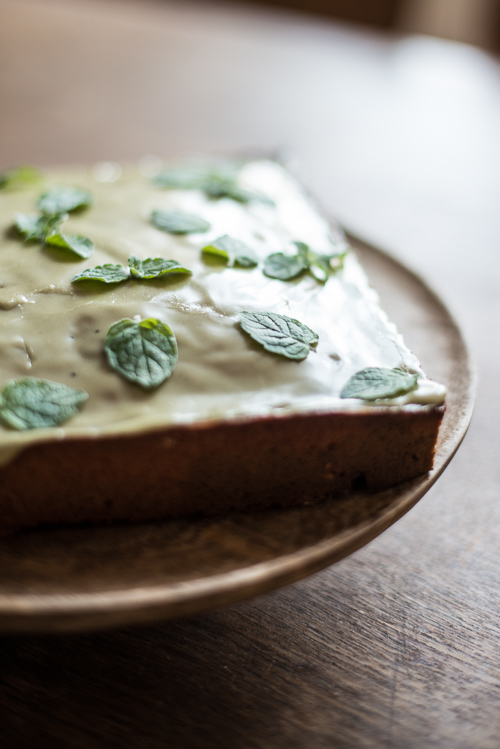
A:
(377, 382)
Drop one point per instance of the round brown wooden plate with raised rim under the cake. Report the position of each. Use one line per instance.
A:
(83, 578)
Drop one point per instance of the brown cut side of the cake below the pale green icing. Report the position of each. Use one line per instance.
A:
(216, 468)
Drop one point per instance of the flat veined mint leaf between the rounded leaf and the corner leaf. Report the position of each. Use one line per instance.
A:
(279, 334)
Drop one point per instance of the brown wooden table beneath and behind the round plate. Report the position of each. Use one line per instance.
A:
(397, 645)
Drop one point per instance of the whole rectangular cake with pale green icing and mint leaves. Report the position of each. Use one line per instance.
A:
(194, 339)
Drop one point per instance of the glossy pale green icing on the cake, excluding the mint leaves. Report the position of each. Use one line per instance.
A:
(51, 328)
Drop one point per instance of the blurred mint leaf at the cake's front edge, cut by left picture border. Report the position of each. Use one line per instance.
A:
(30, 403)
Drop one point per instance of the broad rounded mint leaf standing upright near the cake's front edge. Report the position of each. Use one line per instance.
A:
(145, 353)
